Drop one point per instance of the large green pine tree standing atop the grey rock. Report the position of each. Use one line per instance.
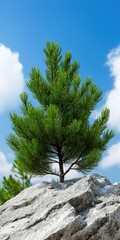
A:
(58, 131)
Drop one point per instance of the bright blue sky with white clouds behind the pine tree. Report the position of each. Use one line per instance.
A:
(89, 29)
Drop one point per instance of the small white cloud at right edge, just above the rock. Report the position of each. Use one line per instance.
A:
(112, 158)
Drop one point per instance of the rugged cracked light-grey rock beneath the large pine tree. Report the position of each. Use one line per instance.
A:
(88, 208)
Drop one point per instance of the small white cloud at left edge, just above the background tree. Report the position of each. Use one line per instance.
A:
(5, 166)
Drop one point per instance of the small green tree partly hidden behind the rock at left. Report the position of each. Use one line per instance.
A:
(11, 186)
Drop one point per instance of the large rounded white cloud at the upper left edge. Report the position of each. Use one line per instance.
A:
(11, 78)
